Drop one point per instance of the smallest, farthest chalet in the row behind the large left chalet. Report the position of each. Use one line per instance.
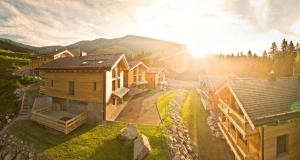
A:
(156, 76)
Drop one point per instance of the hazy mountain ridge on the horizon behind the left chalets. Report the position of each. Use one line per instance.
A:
(129, 45)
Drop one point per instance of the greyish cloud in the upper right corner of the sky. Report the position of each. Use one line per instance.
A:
(266, 15)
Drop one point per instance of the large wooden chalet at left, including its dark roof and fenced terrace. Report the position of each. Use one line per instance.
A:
(90, 84)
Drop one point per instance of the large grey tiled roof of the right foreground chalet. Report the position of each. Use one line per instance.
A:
(267, 101)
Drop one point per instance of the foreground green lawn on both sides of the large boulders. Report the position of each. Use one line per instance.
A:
(88, 142)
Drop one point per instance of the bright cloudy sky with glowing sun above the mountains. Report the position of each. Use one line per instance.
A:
(205, 26)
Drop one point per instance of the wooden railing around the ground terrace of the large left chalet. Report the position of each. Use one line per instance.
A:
(57, 124)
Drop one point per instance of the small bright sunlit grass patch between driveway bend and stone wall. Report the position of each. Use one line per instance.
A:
(162, 105)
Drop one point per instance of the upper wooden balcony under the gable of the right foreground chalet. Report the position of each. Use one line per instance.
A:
(236, 119)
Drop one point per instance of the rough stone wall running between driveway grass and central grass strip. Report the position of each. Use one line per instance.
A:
(179, 140)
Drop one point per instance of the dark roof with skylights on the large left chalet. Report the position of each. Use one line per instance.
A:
(102, 61)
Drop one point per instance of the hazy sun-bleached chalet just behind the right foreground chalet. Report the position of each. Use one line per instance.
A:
(207, 88)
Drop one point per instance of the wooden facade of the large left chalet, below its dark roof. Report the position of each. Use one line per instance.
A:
(88, 90)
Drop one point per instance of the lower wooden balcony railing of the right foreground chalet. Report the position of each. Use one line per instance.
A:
(237, 146)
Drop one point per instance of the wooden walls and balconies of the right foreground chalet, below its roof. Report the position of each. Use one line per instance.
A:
(265, 142)
